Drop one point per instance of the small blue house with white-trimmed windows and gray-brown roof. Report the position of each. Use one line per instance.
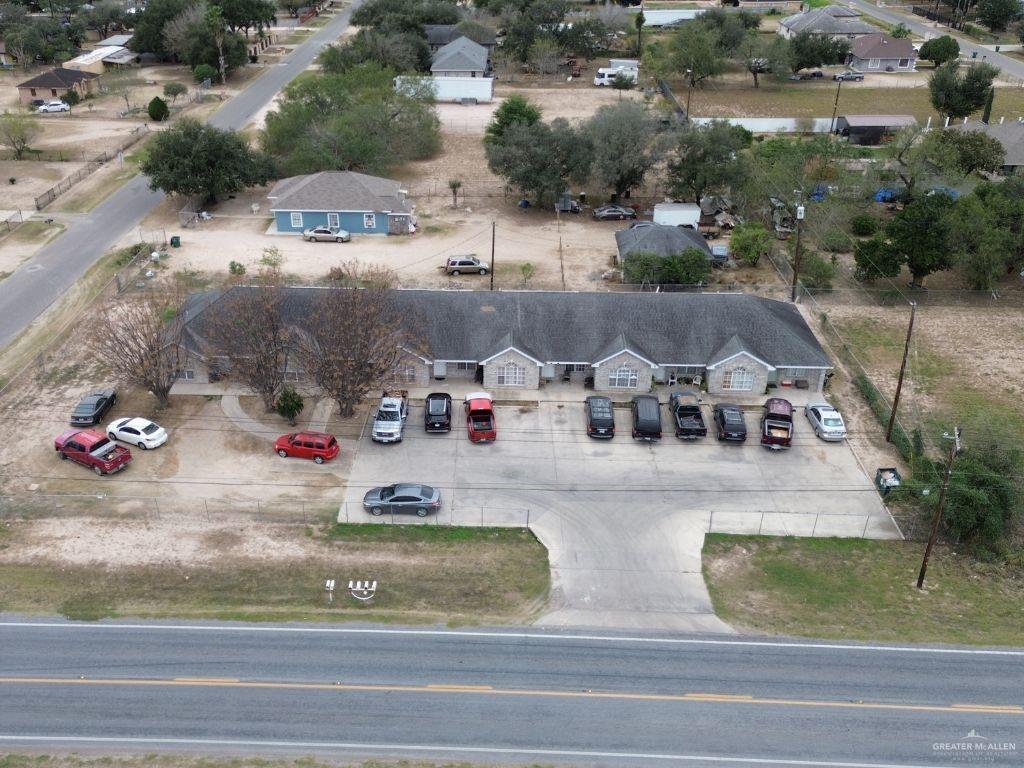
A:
(355, 202)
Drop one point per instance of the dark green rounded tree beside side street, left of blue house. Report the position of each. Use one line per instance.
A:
(192, 158)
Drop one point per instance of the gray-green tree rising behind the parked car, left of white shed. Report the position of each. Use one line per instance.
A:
(622, 137)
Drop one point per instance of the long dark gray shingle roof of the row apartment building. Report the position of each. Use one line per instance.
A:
(665, 328)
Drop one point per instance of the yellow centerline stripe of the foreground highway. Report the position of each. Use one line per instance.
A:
(491, 692)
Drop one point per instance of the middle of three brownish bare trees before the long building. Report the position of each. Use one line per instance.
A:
(249, 329)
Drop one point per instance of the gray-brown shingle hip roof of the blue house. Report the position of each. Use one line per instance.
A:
(338, 191)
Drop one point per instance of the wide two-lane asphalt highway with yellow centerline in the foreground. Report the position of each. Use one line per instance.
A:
(503, 696)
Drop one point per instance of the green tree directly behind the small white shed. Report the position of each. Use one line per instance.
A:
(707, 160)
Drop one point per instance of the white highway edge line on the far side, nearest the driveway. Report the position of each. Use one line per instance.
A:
(514, 636)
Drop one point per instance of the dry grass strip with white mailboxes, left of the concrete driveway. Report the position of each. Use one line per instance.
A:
(250, 572)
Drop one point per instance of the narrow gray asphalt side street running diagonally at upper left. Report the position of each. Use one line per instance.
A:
(44, 279)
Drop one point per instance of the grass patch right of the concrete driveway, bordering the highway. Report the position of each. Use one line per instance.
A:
(862, 590)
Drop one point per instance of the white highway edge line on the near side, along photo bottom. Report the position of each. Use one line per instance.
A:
(157, 741)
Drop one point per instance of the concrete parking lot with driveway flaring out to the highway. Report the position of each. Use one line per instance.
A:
(625, 522)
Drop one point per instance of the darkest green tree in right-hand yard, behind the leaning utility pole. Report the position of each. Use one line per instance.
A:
(920, 235)
